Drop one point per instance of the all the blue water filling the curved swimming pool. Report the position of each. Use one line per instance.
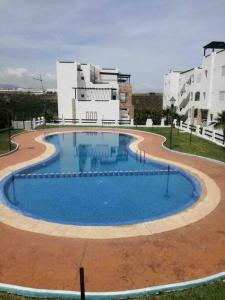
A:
(87, 197)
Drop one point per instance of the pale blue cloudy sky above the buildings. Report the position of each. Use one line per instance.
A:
(144, 38)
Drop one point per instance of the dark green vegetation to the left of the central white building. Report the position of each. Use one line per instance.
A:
(25, 106)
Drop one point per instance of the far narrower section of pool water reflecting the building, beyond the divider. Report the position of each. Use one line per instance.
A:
(92, 151)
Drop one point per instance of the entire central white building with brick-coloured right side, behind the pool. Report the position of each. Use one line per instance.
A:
(90, 92)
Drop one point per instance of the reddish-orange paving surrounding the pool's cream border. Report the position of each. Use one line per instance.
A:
(43, 261)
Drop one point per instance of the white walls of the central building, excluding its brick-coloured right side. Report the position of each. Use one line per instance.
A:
(95, 97)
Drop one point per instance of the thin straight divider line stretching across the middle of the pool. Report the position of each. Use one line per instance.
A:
(94, 174)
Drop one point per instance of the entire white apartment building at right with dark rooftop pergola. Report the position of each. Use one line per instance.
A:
(199, 92)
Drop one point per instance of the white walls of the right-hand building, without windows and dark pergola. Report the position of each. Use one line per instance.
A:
(207, 80)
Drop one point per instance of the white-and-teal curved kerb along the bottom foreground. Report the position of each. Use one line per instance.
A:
(66, 294)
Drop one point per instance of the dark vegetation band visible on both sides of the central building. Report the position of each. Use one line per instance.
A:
(25, 106)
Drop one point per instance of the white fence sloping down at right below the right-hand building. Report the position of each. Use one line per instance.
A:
(204, 132)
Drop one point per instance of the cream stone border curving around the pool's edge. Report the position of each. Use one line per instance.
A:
(208, 201)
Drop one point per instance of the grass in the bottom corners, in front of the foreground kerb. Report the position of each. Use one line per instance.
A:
(213, 291)
